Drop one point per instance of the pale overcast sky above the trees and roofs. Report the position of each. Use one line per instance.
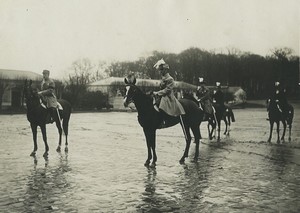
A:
(52, 34)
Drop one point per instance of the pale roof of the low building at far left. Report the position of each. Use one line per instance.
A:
(19, 74)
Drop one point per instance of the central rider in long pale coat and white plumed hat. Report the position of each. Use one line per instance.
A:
(167, 102)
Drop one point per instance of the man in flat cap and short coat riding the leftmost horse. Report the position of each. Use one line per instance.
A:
(48, 97)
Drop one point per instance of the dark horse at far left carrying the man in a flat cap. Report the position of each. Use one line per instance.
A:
(37, 114)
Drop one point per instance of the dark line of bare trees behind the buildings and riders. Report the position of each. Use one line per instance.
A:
(254, 73)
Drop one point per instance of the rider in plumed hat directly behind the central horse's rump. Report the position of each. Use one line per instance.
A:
(204, 99)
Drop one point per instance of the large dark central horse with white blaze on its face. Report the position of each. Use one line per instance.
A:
(150, 120)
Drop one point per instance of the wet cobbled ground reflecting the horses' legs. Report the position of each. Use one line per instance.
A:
(104, 172)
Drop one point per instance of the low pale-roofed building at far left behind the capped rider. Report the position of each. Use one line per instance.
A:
(11, 86)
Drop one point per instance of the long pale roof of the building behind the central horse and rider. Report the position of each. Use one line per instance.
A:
(140, 82)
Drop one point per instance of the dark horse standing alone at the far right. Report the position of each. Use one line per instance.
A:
(276, 116)
